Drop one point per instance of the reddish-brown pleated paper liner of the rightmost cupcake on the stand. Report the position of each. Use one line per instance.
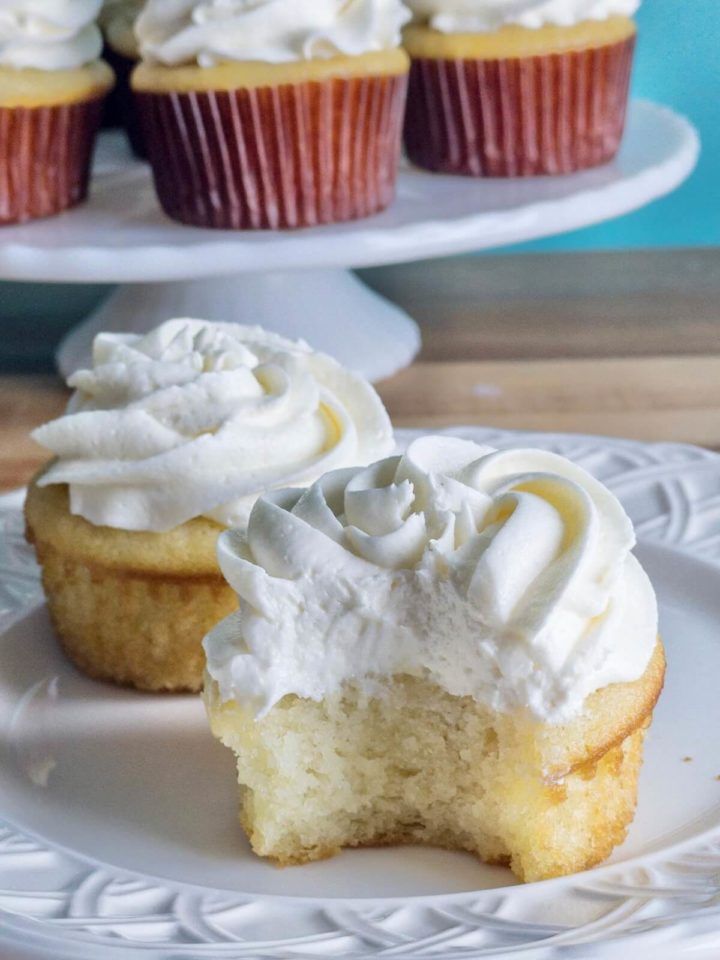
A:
(518, 117)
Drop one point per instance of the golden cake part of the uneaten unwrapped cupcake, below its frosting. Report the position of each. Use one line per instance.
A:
(128, 607)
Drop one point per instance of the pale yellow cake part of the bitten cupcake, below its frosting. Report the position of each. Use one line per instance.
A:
(415, 765)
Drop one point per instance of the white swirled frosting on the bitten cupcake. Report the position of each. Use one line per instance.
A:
(504, 576)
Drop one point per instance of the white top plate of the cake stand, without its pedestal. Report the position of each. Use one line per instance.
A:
(121, 234)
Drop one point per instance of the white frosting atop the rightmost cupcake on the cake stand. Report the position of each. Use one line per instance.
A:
(458, 16)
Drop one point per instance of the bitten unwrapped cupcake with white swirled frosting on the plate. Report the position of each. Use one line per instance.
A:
(455, 647)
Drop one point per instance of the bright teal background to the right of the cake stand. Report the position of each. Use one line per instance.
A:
(678, 64)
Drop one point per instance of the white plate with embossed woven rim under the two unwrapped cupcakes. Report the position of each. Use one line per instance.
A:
(120, 833)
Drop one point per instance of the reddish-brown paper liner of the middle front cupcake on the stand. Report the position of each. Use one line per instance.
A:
(290, 156)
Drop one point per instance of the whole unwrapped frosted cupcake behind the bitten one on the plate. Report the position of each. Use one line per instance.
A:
(167, 440)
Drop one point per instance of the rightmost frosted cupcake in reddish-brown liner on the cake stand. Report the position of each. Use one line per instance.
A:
(513, 88)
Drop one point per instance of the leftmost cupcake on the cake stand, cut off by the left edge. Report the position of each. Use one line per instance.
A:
(52, 86)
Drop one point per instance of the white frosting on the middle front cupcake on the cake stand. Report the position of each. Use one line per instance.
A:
(207, 32)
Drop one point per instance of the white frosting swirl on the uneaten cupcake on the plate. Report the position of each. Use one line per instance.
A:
(197, 419)
